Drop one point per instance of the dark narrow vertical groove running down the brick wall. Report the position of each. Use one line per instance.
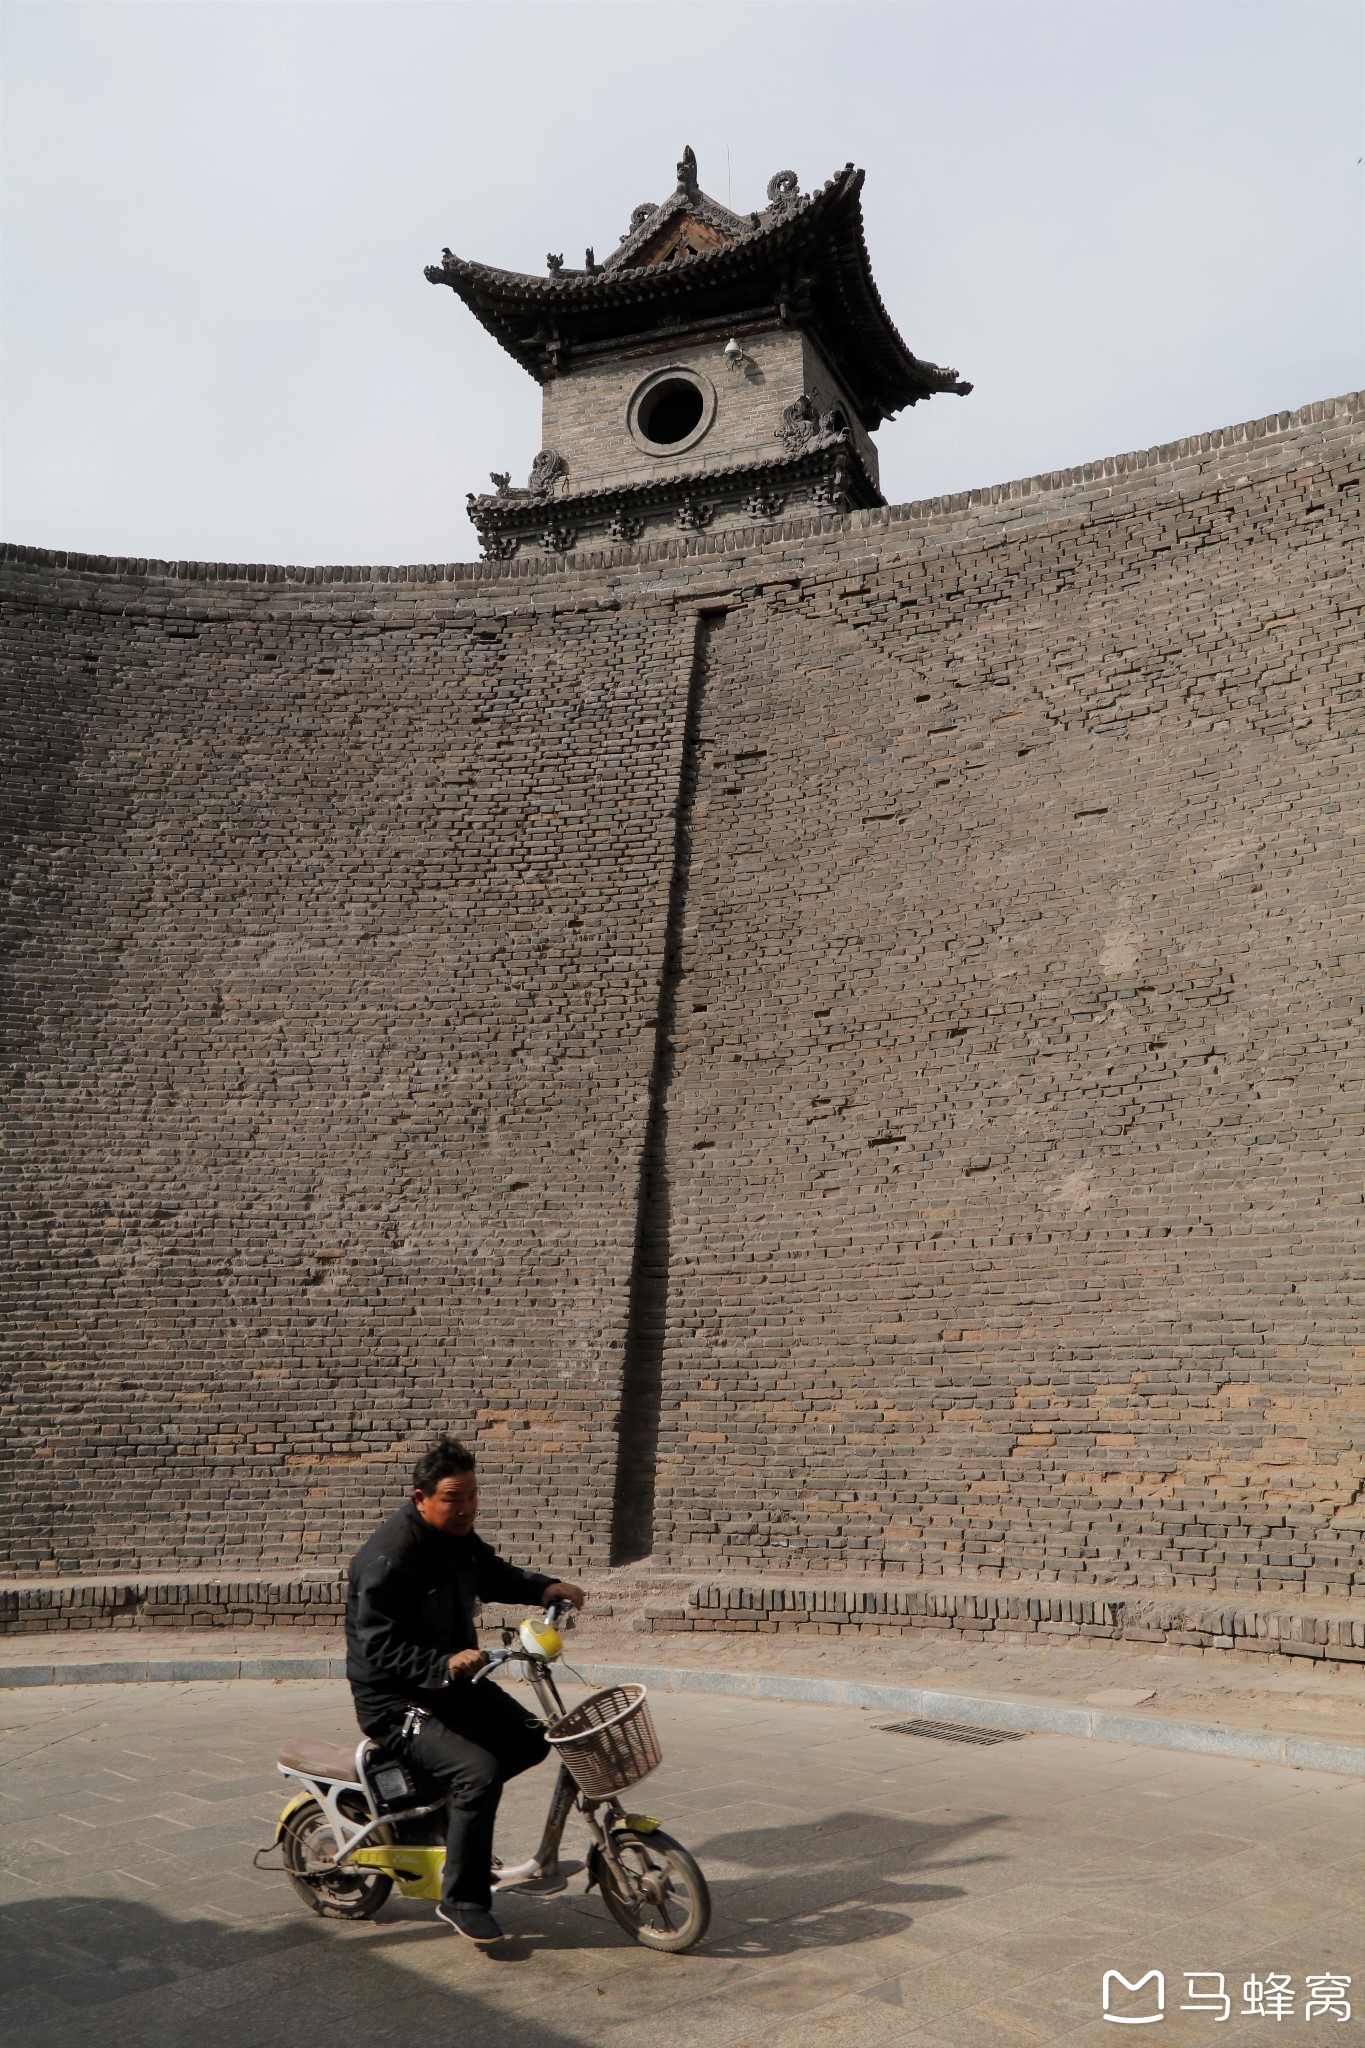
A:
(642, 1388)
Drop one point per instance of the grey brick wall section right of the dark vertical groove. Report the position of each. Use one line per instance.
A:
(1016, 1125)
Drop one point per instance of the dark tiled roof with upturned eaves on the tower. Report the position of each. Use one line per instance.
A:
(695, 265)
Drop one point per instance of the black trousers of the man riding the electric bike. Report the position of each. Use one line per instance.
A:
(474, 1740)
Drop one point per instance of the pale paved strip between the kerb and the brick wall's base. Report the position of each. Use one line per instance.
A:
(1288, 1695)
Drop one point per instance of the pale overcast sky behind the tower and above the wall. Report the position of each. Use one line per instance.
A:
(1125, 222)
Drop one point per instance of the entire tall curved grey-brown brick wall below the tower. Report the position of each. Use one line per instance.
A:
(885, 992)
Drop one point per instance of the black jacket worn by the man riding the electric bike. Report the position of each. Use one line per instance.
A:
(412, 1605)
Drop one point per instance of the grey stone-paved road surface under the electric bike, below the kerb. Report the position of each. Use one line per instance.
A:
(871, 1889)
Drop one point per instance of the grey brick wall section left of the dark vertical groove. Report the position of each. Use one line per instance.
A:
(337, 929)
